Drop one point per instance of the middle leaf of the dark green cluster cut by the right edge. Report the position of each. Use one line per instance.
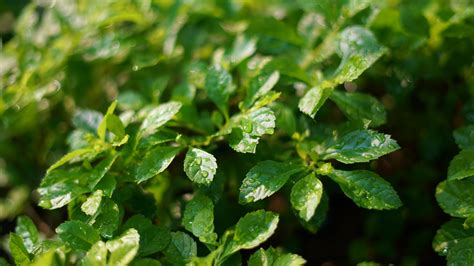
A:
(456, 198)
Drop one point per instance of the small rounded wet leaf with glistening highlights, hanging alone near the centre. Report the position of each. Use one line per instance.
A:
(200, 166)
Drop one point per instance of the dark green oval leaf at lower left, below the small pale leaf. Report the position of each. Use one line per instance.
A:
(77, 235)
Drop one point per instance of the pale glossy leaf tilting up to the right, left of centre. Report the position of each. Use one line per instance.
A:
(158, 116)
